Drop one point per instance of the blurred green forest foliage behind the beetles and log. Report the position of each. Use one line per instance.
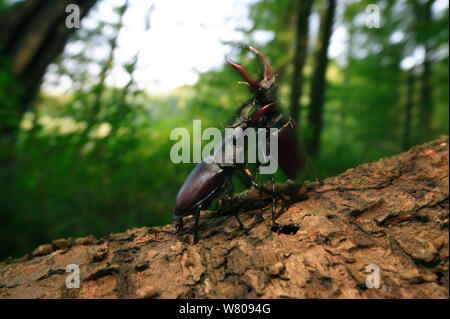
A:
(96, 159)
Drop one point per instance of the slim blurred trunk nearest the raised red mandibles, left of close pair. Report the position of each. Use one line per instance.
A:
(301, 48)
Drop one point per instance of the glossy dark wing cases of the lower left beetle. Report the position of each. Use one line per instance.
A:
(204, 183)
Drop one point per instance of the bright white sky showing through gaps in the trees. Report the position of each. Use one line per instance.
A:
(185, 38)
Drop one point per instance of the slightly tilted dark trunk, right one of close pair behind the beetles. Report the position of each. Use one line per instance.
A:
(318, 84)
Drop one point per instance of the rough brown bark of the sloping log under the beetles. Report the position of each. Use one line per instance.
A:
(392, 213)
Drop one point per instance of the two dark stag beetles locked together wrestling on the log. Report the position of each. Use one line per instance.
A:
(211, 178)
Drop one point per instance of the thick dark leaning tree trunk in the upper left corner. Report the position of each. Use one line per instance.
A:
(32, 34)
